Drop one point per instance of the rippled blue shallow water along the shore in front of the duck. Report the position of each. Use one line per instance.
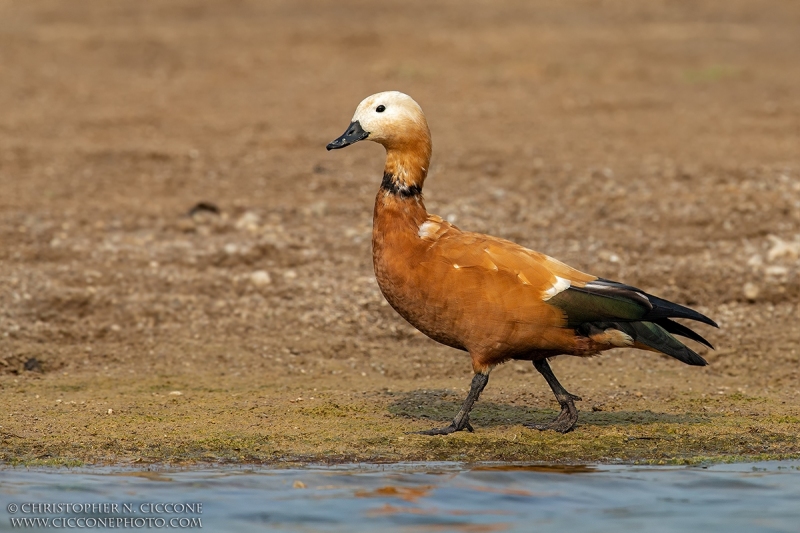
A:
(424, 497)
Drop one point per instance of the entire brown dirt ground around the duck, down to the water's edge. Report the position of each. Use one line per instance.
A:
(654, 143)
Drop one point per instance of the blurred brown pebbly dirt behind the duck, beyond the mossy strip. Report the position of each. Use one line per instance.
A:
(656, 143)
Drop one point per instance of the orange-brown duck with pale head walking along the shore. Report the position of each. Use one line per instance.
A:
(487, 296)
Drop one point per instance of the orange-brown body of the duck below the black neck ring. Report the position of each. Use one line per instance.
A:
(471, 291)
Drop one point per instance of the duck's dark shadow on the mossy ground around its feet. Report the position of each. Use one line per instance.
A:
(440, 406)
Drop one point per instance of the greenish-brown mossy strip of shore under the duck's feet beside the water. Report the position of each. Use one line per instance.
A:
(186, 423)
